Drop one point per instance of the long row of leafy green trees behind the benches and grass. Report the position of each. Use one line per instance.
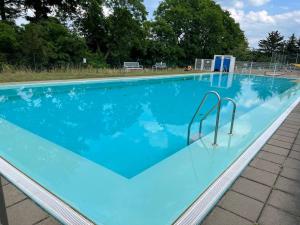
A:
(109, 32)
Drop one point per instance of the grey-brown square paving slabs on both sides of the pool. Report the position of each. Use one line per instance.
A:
(266, 193)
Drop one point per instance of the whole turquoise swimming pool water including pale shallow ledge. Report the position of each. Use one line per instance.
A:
(116, 150)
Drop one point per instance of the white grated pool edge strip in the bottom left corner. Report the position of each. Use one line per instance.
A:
(53, 205)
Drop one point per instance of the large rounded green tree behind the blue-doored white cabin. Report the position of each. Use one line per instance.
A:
(200, 28)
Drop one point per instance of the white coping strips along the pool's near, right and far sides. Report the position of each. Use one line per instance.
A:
(193, 215)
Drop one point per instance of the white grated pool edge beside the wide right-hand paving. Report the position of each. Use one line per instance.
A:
(204, 204)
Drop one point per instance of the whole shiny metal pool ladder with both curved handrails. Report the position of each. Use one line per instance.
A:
(217, 107)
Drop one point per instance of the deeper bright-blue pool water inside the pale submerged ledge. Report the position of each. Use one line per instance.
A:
(128, 127)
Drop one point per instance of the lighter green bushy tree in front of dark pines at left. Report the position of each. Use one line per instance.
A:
(48, 43)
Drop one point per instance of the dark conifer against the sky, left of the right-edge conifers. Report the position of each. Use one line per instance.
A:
(272, 44)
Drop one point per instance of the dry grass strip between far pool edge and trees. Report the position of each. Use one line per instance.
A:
(26, 76)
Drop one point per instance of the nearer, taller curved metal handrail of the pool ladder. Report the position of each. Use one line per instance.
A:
(218, 105)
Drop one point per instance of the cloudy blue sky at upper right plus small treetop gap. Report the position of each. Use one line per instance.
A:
(258, 17)
